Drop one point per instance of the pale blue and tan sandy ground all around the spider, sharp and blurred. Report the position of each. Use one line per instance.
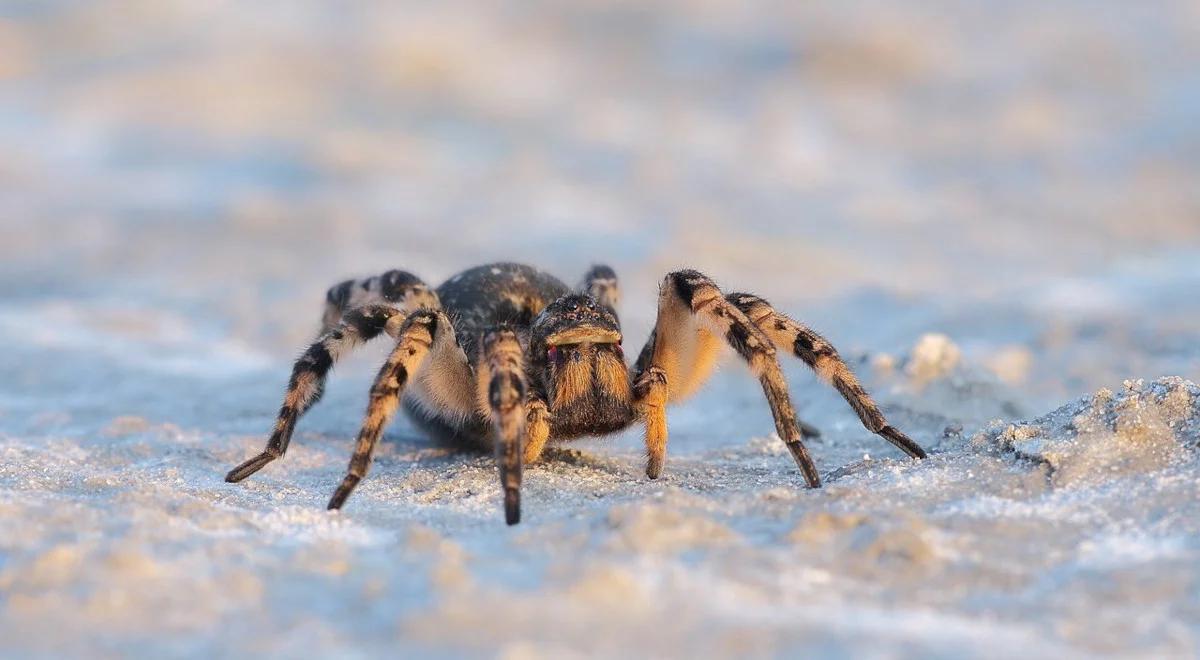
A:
(989, 208)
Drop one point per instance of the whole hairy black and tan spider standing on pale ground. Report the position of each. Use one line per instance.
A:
(507, 357)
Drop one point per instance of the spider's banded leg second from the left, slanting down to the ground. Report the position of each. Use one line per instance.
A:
(417, 337)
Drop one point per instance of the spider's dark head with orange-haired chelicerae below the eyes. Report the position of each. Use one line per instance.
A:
(577, 353)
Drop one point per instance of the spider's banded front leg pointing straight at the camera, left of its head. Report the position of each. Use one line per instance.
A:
(502, 391)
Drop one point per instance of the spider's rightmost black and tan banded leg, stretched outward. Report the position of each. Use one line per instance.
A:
(819, 355)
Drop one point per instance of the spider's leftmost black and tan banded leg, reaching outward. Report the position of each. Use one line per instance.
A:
(308, 383)
